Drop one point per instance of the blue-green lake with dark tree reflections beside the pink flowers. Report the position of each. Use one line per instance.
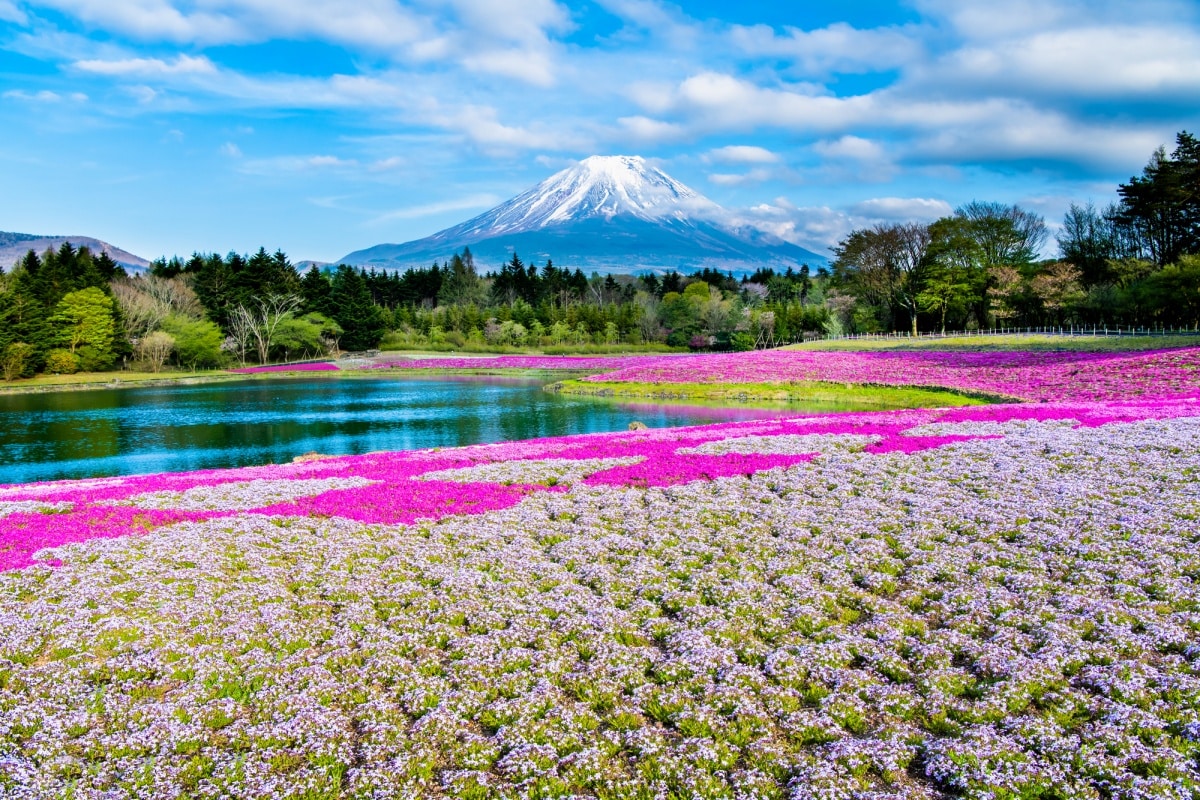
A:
(236, 424)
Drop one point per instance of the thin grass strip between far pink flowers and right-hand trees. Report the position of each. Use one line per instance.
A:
(1009, 342)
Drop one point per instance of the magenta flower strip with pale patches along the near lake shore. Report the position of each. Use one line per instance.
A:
(391, 489)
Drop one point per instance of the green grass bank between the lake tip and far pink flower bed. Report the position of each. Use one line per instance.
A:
(808, 394)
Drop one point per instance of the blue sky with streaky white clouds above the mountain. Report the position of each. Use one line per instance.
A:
(322, 128)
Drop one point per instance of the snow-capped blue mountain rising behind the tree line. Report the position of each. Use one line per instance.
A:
(607, 214)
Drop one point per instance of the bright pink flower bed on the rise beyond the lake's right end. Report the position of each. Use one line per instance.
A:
(1018, 375)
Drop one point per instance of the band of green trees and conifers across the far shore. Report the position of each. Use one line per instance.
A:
(1135, 263)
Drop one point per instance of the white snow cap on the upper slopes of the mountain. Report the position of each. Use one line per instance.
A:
(601, 187)
